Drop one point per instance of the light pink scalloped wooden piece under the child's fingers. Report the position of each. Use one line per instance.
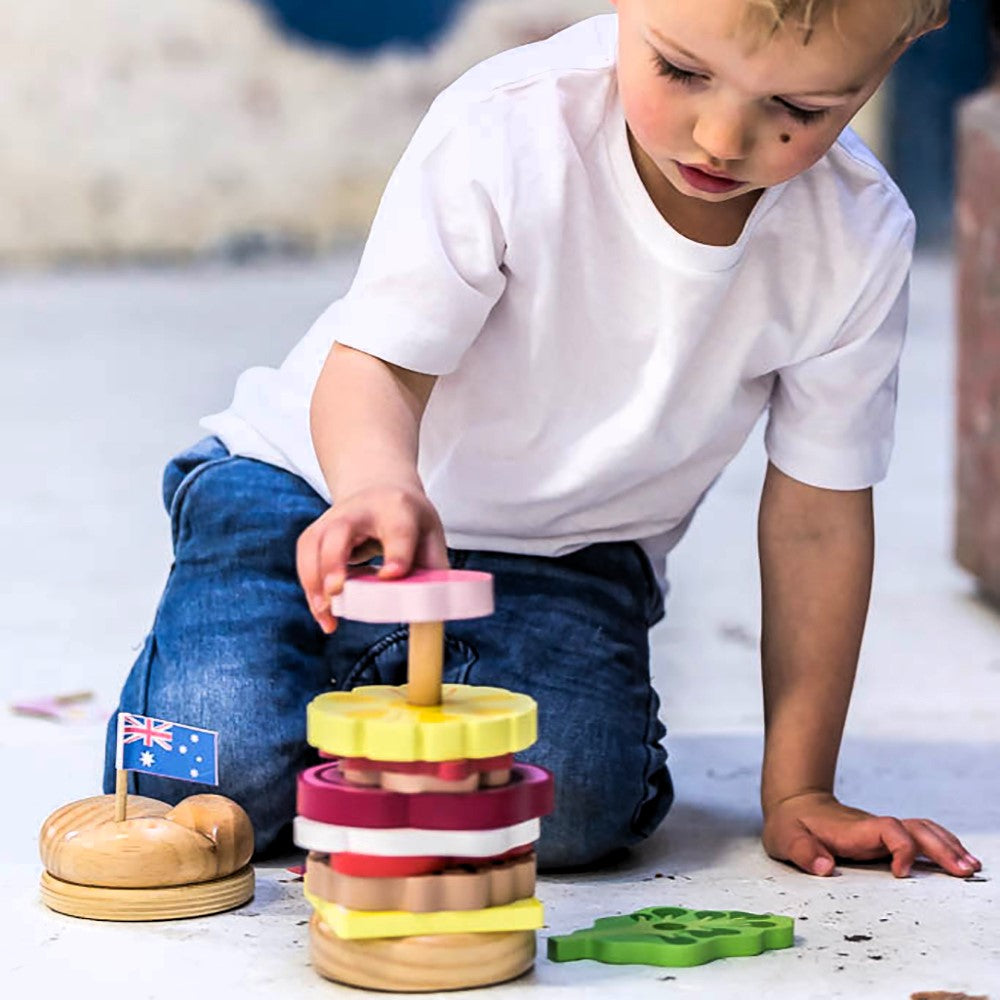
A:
(426, 595)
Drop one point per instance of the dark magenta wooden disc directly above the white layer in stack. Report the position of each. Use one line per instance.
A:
(326, 796)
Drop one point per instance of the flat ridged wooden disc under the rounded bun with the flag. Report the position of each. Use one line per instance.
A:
(168, 903)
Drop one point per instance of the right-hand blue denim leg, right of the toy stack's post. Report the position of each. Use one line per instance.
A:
(572, 632)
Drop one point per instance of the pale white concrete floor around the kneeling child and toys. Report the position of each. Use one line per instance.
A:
(104, 376)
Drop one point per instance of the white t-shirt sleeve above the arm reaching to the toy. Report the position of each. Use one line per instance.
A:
(431, 269)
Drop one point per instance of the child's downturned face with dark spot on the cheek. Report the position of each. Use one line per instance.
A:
(700, 94)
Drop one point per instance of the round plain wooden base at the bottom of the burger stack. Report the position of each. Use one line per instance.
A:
(421, 964)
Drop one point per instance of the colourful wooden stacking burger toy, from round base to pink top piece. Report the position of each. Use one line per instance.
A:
(420, 827)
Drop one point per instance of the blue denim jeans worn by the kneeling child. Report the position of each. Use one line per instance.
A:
(233, 648)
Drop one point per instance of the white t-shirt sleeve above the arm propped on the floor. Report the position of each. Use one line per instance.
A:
(831, 416)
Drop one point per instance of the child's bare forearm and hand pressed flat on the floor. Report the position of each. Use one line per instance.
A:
(816, 552)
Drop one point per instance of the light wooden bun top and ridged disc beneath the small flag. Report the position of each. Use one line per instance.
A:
(153, 862)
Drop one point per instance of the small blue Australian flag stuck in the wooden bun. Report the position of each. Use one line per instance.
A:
(167, 749)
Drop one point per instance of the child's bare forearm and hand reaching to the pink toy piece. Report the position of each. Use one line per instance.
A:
(365, 420)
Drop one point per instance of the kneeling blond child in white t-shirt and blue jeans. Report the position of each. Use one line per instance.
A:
(601, 259)
